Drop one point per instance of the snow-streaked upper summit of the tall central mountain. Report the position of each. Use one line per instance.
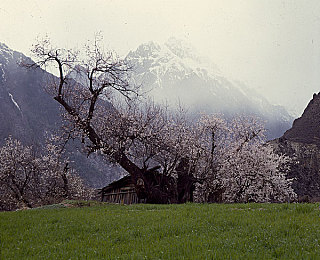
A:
(174, 59)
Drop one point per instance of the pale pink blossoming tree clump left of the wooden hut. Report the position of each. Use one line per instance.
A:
(29, 180)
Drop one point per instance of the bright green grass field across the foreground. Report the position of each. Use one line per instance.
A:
(190, 231)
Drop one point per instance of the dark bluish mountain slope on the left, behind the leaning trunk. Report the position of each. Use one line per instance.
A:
(29, 113)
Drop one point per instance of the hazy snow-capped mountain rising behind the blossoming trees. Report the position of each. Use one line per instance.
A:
(175, 73)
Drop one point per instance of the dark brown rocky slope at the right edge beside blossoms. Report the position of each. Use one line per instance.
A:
(302, 142)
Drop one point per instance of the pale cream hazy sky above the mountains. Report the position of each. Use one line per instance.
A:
(272, 45)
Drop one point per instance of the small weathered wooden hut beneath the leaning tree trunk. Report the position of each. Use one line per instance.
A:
(121, 191)
